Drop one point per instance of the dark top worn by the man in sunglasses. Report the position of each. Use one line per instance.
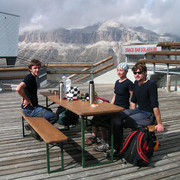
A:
(145, 96)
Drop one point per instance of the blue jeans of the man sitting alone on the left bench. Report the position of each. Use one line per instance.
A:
(39, 111)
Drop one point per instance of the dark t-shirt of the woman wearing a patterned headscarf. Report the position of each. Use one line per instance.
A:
(121, 90)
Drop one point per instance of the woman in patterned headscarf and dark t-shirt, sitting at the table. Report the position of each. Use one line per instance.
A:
(122, 93)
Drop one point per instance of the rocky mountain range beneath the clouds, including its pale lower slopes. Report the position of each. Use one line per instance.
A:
(89, 44)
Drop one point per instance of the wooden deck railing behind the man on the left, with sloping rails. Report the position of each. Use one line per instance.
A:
(85, 70)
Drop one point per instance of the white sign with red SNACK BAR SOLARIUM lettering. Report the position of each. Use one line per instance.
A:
(140, 49)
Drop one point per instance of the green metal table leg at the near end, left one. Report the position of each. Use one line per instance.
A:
(83, 141)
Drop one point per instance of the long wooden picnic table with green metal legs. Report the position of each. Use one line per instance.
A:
(84, 109)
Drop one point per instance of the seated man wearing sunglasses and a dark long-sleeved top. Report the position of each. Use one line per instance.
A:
(144, 107)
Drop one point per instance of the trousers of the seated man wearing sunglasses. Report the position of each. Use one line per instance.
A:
(130, 118)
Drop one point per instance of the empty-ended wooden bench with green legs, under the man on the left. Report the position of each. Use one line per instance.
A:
(49, 133)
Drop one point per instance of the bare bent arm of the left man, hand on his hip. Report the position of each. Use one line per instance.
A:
(20, 90)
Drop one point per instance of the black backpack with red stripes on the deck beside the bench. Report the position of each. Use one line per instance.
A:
(139, 146)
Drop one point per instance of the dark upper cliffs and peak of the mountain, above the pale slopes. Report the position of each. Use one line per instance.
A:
(107, 31)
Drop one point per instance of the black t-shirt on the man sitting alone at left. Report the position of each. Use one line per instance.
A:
(31, 90)
